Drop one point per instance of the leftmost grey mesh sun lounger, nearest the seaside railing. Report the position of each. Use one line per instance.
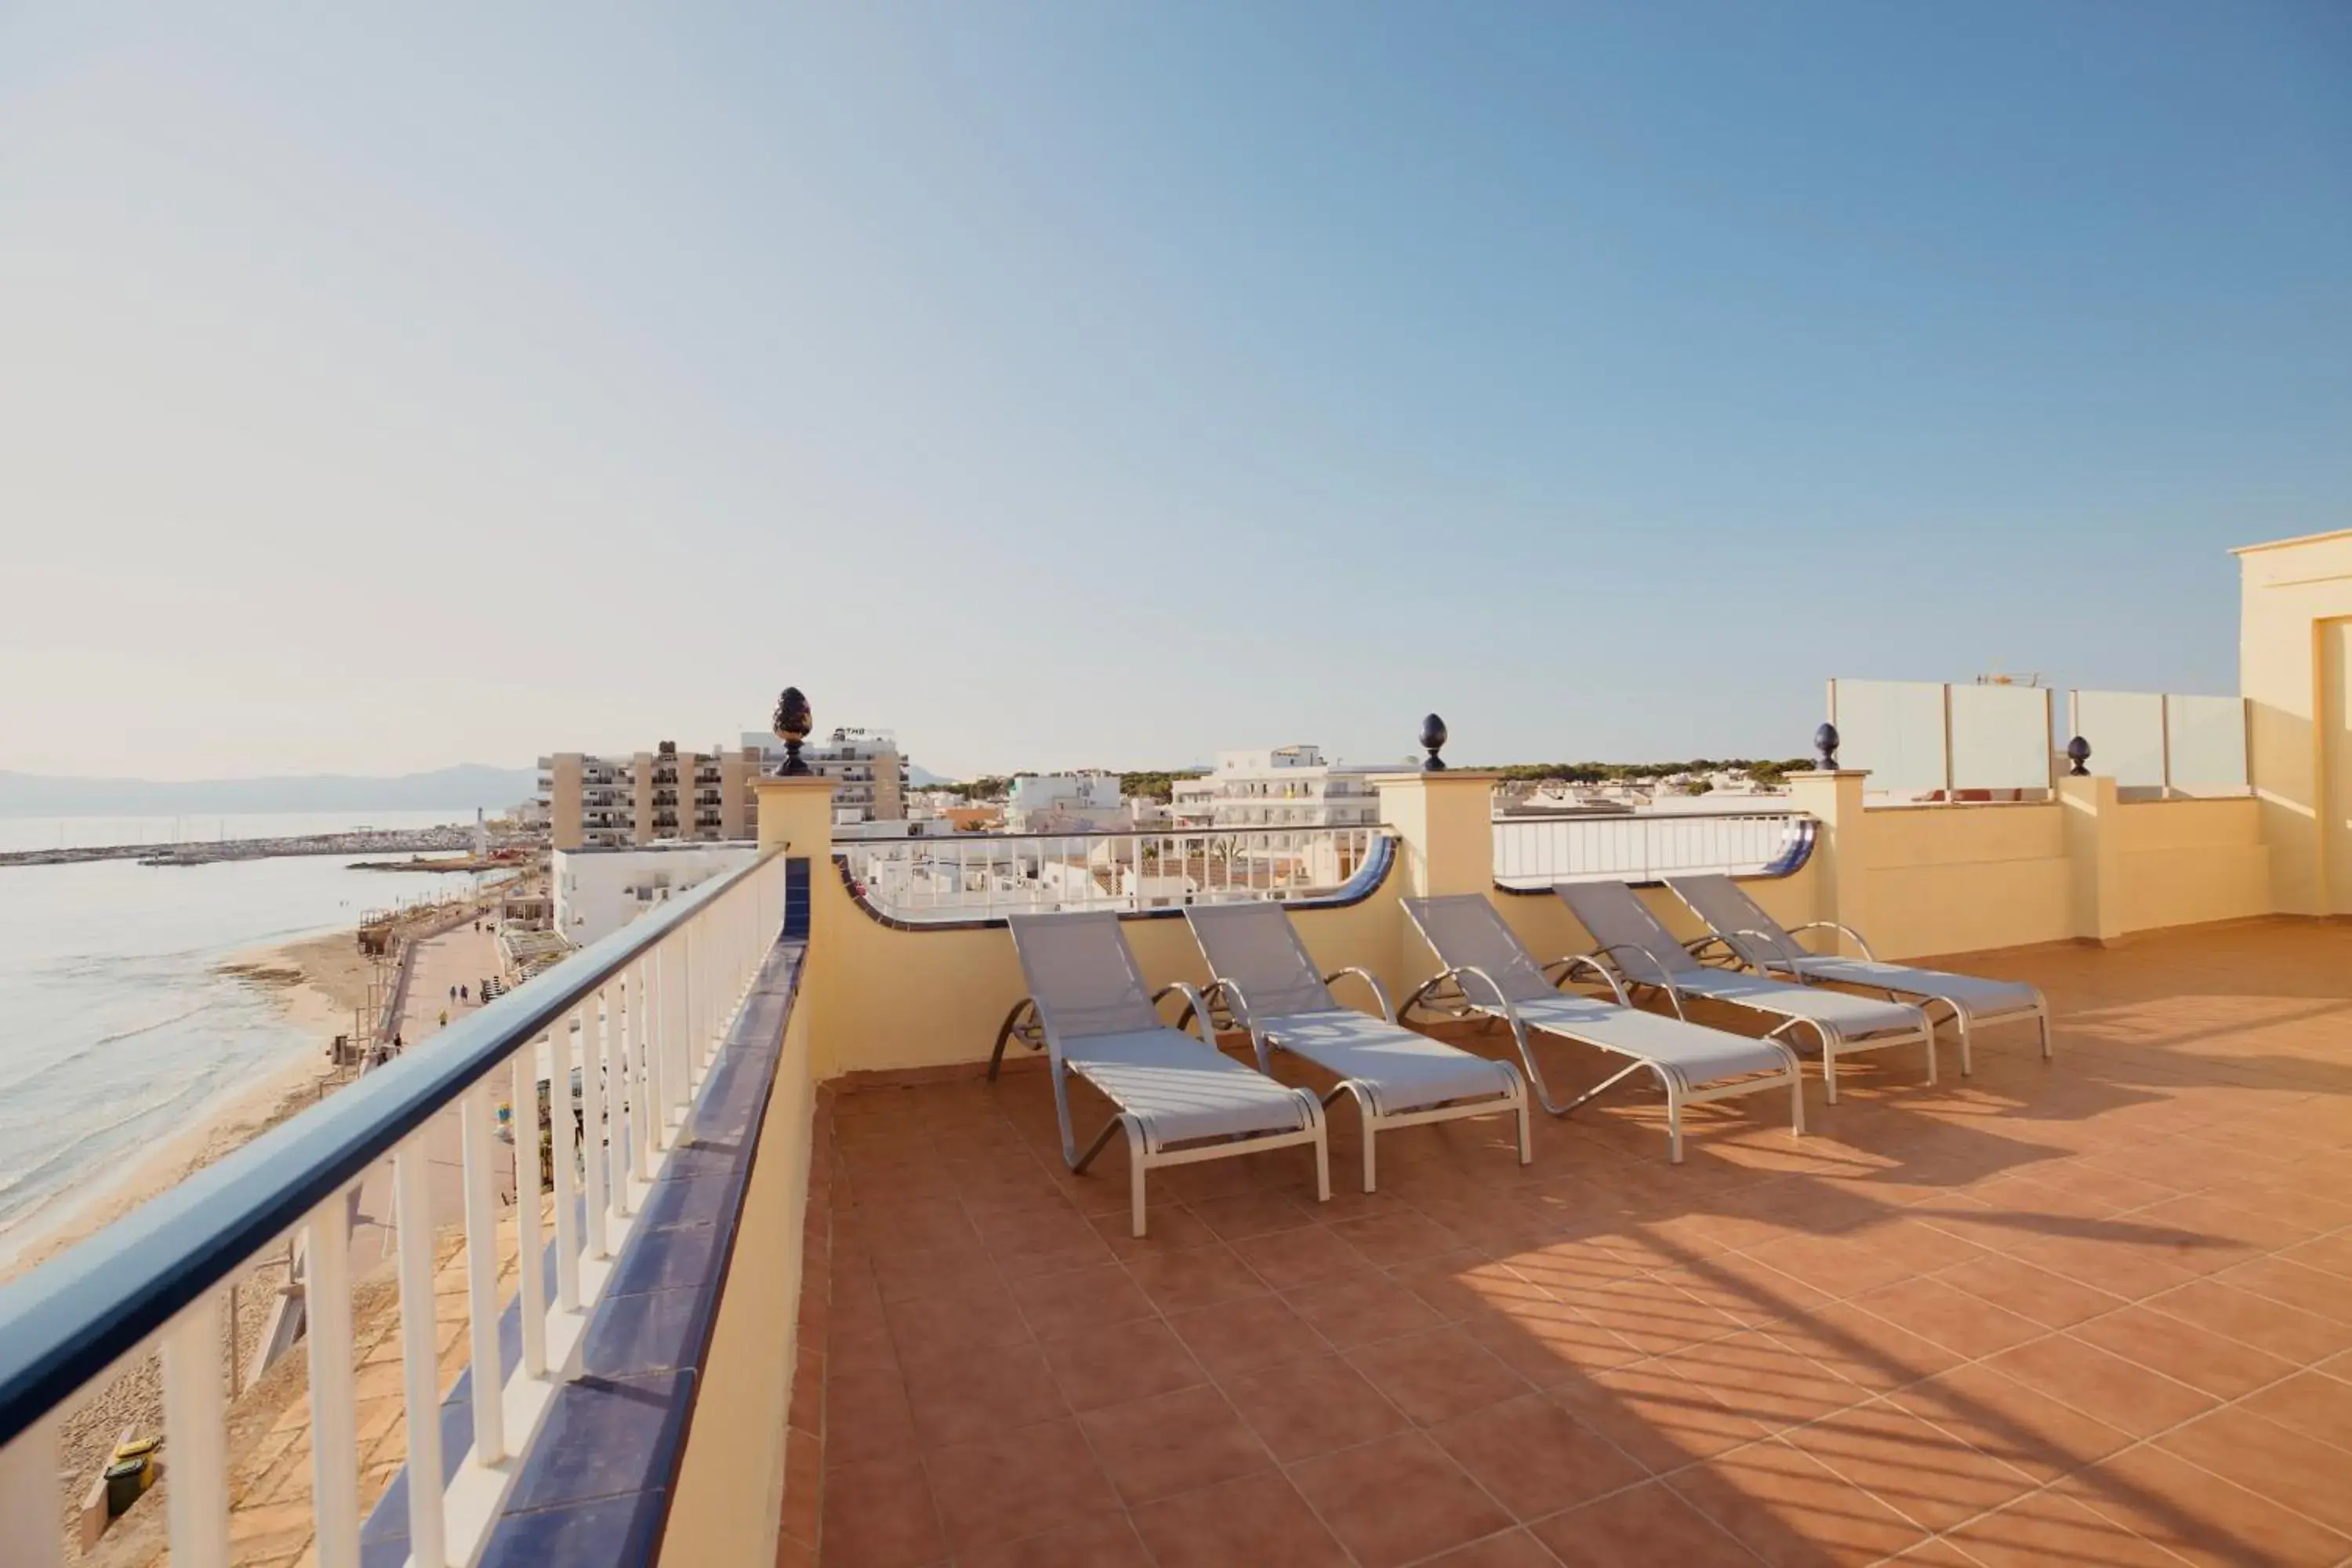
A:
(1180, 1099)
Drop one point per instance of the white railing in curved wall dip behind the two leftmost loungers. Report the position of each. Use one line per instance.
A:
(970, 876)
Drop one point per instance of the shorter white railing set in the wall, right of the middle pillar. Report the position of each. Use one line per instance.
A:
(1645, 847)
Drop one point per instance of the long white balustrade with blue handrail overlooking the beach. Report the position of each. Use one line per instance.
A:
(650, 1007)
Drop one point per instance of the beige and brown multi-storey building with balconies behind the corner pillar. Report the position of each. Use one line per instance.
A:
(667, 793)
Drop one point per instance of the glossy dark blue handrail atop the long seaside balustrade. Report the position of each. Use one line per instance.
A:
(74, 1318)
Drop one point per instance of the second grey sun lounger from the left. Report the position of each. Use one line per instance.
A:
(1398, 1078)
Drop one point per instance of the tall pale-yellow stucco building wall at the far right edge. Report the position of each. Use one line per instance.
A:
(2294, 659)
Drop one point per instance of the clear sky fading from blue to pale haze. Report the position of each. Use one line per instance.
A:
(1104, 384)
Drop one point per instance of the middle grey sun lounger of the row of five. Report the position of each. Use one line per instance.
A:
(1499, 979)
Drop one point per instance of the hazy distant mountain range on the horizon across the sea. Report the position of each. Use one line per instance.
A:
(460, 789)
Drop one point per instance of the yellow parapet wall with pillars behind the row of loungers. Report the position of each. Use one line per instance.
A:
(1918, 883)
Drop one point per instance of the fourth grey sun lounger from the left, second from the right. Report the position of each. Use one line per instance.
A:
(1648, 953)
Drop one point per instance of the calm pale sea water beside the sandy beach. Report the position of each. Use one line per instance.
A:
(116, 1026)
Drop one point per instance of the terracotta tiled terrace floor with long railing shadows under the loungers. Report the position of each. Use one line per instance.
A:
(2083, 1313)
